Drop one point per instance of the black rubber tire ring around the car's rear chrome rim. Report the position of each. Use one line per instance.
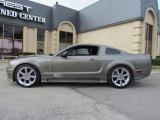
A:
(110, 77)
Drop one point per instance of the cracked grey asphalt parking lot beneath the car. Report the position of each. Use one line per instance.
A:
(140, 101)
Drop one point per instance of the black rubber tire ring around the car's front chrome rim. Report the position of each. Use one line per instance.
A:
(38, 78)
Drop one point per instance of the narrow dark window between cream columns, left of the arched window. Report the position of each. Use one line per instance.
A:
(40, 41)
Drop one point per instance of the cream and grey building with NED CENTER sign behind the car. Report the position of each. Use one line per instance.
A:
(130, 25)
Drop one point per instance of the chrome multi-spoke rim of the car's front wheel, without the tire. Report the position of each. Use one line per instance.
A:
(26, 76)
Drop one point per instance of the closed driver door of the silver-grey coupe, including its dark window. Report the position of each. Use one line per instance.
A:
(81, 62)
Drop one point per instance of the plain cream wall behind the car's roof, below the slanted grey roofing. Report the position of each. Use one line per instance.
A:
(126, 36)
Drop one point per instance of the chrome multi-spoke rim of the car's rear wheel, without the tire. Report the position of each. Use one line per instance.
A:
(121, 77)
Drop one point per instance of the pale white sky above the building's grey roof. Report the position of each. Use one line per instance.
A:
(74, 4)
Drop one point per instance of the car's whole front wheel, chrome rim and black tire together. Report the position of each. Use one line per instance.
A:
(27, 76)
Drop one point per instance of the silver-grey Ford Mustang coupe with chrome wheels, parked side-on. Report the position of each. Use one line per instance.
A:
(82, 63)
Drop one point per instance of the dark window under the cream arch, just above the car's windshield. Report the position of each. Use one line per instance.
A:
(66, 39)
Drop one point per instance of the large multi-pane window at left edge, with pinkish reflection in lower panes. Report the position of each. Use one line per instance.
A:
(11, 43)
